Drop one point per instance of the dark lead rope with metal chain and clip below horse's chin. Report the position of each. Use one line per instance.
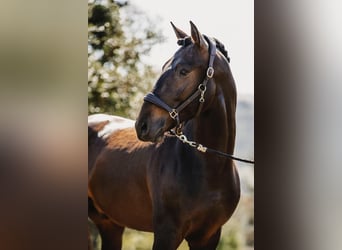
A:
(204, 149)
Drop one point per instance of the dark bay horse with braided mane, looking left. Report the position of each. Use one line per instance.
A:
(158, 183)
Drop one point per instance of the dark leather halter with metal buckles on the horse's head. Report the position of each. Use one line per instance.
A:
(174, 112)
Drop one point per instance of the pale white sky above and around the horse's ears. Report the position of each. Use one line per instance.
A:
(232, 22)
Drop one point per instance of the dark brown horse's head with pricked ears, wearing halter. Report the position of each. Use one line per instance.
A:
(184, 89)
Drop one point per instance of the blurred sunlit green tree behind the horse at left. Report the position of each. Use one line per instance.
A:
(119, 36)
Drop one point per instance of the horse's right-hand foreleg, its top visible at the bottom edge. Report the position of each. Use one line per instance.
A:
(201, 243)
